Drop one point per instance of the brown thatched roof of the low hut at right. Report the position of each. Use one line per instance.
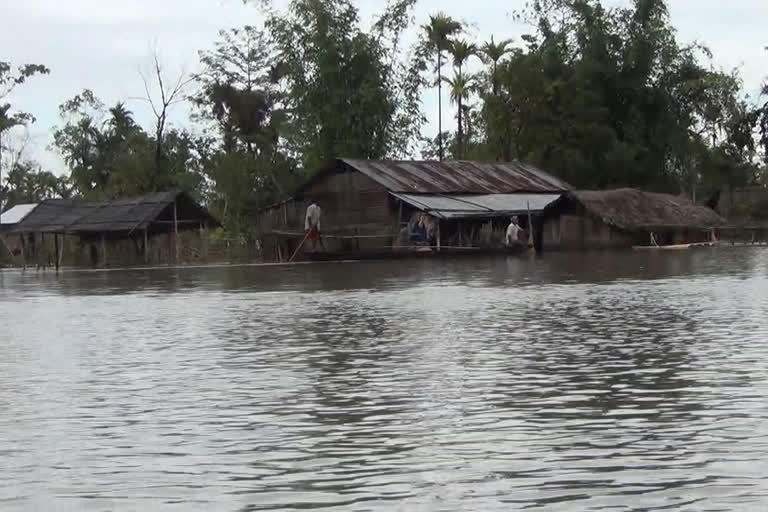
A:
(636, 210)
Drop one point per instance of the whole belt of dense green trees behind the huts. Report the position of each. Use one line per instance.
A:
(601, 96)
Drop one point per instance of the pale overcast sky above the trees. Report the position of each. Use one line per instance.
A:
(102, 44)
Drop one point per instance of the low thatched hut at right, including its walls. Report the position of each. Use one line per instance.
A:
(623, 218)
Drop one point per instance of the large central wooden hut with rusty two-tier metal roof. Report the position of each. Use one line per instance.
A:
(369, 205)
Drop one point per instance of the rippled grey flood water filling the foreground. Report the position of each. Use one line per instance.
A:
(597, 382)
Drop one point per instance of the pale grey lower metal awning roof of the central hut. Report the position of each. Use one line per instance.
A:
(487, 205)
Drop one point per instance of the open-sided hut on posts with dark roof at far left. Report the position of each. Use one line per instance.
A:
(120, 223)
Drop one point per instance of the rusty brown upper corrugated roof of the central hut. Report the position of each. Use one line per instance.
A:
(457, 177)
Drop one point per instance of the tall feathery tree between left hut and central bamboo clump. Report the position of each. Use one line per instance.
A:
(240, 94)
